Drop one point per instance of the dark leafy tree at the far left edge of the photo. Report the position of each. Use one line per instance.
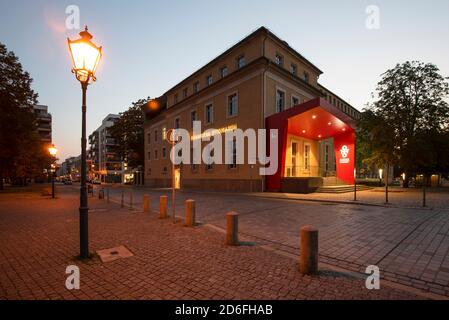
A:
(21, 151)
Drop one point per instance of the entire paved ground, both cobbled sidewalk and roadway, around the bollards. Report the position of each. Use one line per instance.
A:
(39, 239)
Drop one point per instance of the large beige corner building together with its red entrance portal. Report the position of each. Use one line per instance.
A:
(260, 82)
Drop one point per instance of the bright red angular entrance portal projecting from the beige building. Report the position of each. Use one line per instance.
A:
(313, 121)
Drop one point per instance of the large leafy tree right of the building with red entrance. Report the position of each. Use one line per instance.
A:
(408, 124)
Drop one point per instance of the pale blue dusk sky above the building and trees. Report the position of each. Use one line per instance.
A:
(151, 45)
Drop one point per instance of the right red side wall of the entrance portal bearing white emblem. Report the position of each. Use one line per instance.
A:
(344, 156)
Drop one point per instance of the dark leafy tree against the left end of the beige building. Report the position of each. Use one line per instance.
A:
(129, 136)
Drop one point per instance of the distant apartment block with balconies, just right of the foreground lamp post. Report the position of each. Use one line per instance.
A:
(106, 165)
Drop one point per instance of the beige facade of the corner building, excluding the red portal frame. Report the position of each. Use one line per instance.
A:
(258, 77)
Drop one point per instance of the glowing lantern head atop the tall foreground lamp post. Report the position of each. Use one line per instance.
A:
(85, 56)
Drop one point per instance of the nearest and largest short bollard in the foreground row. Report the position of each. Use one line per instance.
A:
(308, 263)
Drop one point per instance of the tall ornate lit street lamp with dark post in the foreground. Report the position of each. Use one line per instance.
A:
(86, 56)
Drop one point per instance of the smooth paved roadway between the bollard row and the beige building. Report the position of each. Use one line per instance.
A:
(410, 245)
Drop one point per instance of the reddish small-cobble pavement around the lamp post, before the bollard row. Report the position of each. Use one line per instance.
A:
(39, 239)
